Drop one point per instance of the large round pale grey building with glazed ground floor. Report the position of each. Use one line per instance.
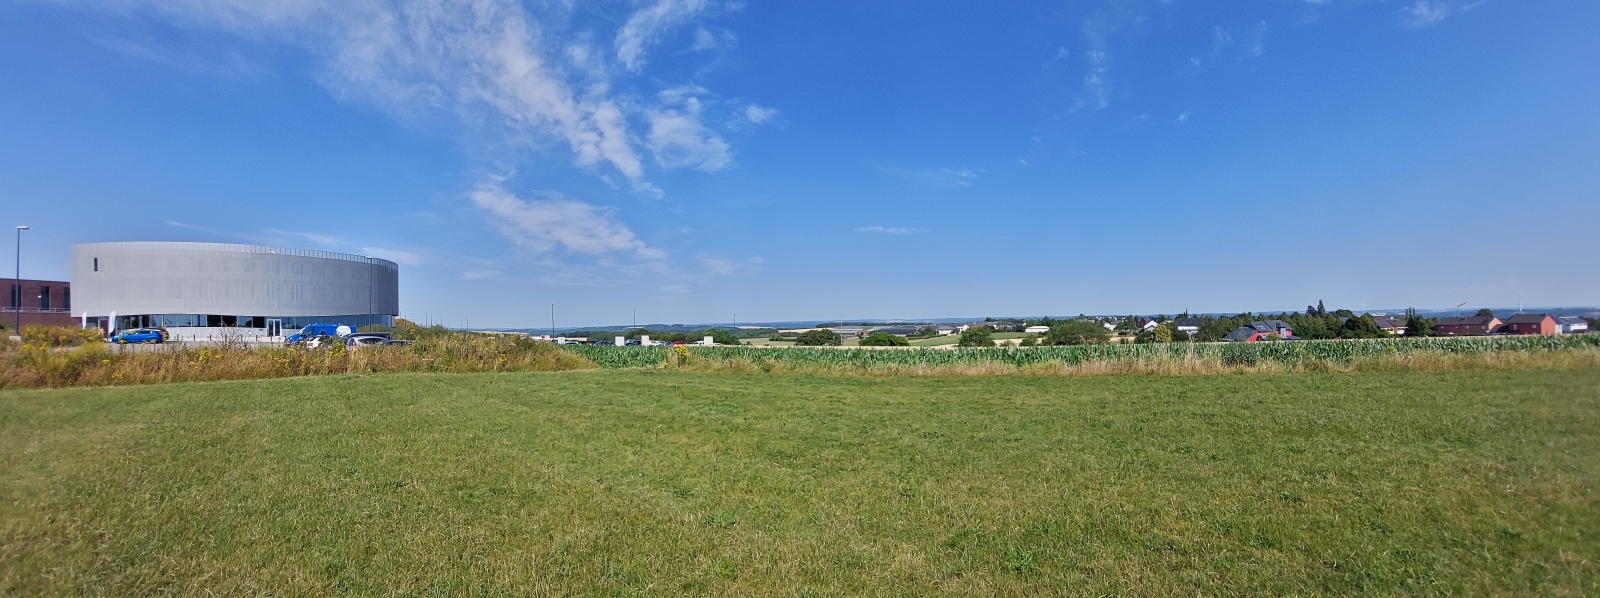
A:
(198, 289)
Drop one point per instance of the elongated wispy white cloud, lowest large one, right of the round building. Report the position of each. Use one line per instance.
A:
(561, 223)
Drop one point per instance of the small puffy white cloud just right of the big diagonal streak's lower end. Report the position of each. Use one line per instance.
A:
(679, 140)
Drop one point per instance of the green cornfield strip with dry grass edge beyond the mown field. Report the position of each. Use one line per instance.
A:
(1236, 354)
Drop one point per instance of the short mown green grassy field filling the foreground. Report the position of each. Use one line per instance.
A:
(682, 484)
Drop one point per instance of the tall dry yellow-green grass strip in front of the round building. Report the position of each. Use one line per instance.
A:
(41, 362)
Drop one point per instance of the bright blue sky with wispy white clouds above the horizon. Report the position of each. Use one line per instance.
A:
(697, 159)
